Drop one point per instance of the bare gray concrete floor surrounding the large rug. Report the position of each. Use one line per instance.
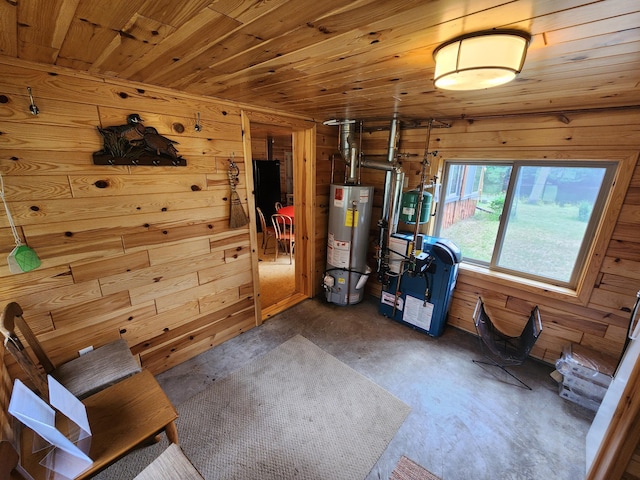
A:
(465, 422)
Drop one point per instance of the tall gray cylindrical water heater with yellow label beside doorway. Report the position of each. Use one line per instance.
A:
(349, 223)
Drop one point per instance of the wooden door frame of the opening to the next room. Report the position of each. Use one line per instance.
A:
(303, 134)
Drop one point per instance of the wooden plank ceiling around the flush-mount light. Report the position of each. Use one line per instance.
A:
(359, 59)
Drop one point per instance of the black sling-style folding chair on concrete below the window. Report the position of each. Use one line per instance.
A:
(502, 350)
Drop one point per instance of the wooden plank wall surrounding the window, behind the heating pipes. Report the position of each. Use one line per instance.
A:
(599, 318)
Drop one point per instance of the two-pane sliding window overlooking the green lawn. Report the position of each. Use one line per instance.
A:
(531, 219)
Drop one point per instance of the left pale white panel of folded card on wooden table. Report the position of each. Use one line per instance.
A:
(66, 458)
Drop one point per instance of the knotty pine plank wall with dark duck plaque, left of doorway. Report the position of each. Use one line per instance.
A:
(151, 257)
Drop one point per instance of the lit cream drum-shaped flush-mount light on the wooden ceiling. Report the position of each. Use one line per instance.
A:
(480, 60)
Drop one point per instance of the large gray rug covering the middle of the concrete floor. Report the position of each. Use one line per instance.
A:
(294, 413)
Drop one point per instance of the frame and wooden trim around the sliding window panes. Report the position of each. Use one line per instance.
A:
(617, 170)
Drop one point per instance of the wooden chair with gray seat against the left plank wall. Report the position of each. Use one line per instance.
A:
(82, 376)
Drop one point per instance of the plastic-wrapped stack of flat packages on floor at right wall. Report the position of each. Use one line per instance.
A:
(585, 375)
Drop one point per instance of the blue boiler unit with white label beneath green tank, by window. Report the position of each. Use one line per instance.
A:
(419, 287)
